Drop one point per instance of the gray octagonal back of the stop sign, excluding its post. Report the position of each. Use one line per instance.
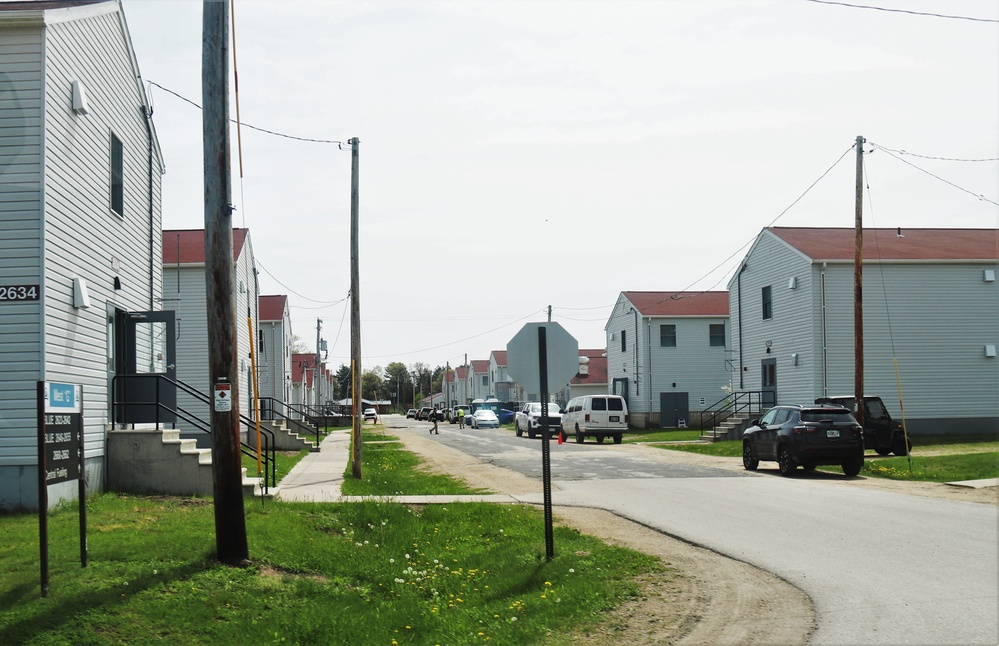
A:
(523, 362)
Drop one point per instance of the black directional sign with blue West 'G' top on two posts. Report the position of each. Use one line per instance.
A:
(60, 459)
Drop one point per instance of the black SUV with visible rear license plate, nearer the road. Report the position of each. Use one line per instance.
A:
(806, 435)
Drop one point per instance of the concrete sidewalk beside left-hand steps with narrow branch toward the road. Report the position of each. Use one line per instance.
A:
(319, 475)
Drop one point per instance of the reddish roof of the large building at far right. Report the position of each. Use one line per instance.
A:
(893, 244)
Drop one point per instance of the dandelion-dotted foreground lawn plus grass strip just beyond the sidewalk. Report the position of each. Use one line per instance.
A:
(346, 573)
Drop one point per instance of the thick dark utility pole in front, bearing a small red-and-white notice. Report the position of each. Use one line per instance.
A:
(230, 523)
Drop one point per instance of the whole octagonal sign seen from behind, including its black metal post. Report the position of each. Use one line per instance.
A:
(545, 356)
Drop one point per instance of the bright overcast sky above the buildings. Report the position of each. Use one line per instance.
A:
(516, 155)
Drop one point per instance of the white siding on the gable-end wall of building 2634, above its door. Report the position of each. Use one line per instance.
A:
(82, 238)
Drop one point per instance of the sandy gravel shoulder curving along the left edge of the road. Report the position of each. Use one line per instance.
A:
(710, 599)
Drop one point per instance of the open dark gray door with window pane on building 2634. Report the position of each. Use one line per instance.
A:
(146, 365)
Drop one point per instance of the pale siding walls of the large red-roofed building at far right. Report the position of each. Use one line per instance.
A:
(934, 318)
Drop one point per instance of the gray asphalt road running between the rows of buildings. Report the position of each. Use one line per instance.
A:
(881, 567)
